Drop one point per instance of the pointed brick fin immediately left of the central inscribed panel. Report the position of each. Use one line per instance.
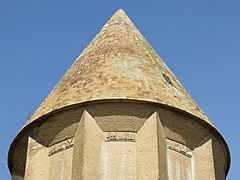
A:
(87, 149)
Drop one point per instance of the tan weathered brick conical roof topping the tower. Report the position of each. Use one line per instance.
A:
(119, 64)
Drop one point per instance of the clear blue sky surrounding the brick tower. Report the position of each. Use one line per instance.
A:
(199, 41)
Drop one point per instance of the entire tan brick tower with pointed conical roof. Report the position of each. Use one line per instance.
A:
(119, 113)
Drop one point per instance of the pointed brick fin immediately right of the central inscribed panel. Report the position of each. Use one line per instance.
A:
(151, 150)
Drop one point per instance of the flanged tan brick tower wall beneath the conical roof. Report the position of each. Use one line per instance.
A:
(183, 133)
